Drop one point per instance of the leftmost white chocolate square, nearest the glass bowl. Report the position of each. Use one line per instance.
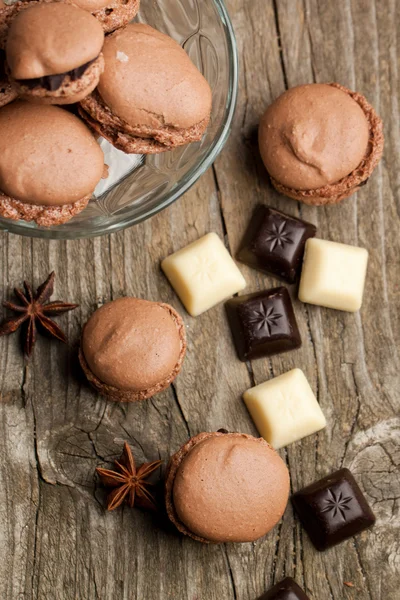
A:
(203, 274)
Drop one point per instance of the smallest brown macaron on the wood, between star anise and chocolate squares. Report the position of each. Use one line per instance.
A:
(132, 349)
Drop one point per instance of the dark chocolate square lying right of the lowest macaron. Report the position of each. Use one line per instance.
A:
(333, 509)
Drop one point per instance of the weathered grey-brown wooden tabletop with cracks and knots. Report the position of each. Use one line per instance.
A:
(57, 541)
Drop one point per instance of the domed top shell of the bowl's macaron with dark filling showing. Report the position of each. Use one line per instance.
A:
(50, 39)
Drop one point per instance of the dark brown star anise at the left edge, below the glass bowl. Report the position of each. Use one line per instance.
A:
(35, 310)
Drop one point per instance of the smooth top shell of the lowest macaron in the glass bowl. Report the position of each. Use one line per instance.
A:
(47, 155)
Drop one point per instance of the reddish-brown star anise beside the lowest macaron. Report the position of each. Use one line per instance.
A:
(129, 482)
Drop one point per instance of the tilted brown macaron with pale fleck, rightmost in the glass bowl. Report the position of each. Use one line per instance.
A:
(151, 97)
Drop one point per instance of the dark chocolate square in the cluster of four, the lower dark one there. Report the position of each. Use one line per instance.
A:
(263, 324)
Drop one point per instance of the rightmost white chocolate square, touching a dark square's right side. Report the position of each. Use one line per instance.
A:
(333, 275)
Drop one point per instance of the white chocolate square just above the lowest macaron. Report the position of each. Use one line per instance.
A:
(284, 409)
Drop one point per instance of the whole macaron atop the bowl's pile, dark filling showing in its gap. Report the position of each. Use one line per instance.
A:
(53, 53)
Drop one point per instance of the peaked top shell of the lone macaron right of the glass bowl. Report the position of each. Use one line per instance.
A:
(313, 135)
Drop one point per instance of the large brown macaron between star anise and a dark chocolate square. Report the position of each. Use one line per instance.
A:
(226, 487)
